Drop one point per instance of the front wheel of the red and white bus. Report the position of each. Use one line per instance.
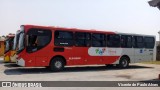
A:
(57, 64)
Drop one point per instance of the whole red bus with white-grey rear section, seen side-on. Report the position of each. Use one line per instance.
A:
(56, 47)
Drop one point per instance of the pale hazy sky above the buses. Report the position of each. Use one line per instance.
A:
(127, 16)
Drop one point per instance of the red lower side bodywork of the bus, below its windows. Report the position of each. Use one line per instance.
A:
(41, 58)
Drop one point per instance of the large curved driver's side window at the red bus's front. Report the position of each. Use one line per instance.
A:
(37, 39)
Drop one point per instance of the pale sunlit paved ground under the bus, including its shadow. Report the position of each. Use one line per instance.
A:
(136, 72)
